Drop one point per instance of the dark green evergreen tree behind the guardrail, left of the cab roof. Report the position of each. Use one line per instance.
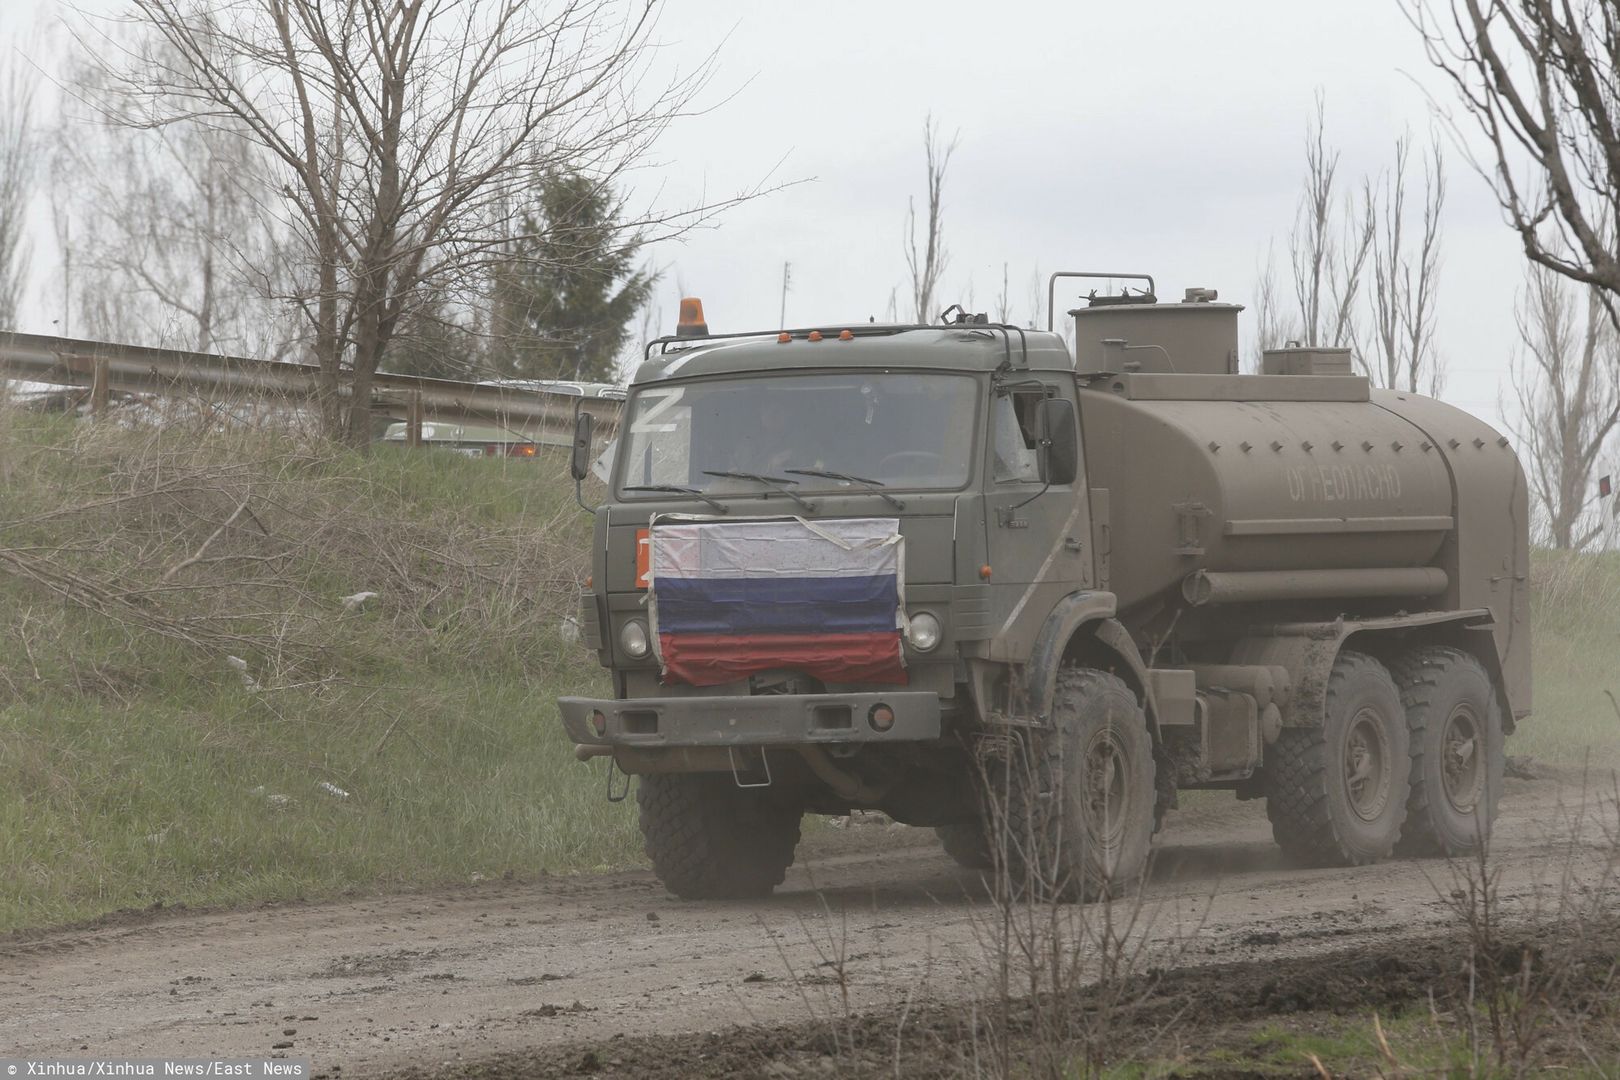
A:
(566, 291)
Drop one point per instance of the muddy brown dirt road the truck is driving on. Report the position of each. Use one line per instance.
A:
(461, 976)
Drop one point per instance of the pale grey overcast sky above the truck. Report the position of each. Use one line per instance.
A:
(1164, 138)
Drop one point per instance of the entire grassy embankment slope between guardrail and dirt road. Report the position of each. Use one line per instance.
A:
(139, 770)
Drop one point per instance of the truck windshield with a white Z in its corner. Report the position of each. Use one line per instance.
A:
(892, 430)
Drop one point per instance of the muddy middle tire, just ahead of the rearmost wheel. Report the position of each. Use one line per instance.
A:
(1337, 794)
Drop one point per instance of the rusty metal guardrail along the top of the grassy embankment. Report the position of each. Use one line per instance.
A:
(103, 368)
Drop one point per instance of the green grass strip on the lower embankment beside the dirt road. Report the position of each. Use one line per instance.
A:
(210, 796)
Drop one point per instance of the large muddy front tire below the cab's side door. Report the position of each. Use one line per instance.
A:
(1080, 801)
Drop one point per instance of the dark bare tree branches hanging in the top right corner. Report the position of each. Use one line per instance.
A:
(1540, 82)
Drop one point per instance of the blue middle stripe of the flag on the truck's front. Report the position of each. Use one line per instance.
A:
(855, 605)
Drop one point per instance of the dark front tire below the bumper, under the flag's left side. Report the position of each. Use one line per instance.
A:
(714, 841)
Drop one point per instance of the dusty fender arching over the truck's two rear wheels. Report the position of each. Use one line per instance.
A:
(1310, 648)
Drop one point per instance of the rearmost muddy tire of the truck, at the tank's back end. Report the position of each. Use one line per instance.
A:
(1456, 721)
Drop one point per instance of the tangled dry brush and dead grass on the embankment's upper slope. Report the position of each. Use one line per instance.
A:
(245, 538)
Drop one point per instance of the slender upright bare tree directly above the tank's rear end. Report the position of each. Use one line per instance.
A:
(1405, 271)
